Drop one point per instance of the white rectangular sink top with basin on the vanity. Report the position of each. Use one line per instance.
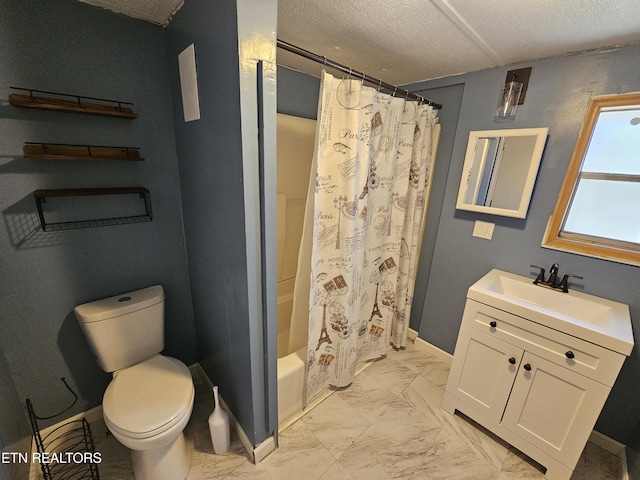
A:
(594, 319)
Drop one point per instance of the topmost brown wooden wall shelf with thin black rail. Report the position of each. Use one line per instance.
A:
(71, 103)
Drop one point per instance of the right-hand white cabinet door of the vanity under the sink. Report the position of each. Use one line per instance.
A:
(554, 408)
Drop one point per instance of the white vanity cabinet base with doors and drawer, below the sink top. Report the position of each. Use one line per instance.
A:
(539, 389)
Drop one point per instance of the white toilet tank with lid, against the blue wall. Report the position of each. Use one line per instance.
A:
(125, 329)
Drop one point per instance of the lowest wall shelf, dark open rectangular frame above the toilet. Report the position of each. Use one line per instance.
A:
(41, 196)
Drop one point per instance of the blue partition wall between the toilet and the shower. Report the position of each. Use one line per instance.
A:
(229, 331)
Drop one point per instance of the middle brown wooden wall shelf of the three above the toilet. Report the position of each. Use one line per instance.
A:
(62, 151)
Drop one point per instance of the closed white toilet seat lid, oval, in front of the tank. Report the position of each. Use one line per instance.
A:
(149, 398)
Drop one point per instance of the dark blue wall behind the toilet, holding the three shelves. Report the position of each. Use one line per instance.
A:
(71, 47)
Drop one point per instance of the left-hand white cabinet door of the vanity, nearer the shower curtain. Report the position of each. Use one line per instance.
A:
(483, 371)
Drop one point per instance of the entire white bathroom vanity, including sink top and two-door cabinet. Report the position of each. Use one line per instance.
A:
(535, 366)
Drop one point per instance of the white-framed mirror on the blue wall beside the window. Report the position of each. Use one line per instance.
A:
(500, 169)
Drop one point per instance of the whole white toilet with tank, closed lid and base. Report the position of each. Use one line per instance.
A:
(149, 401)
